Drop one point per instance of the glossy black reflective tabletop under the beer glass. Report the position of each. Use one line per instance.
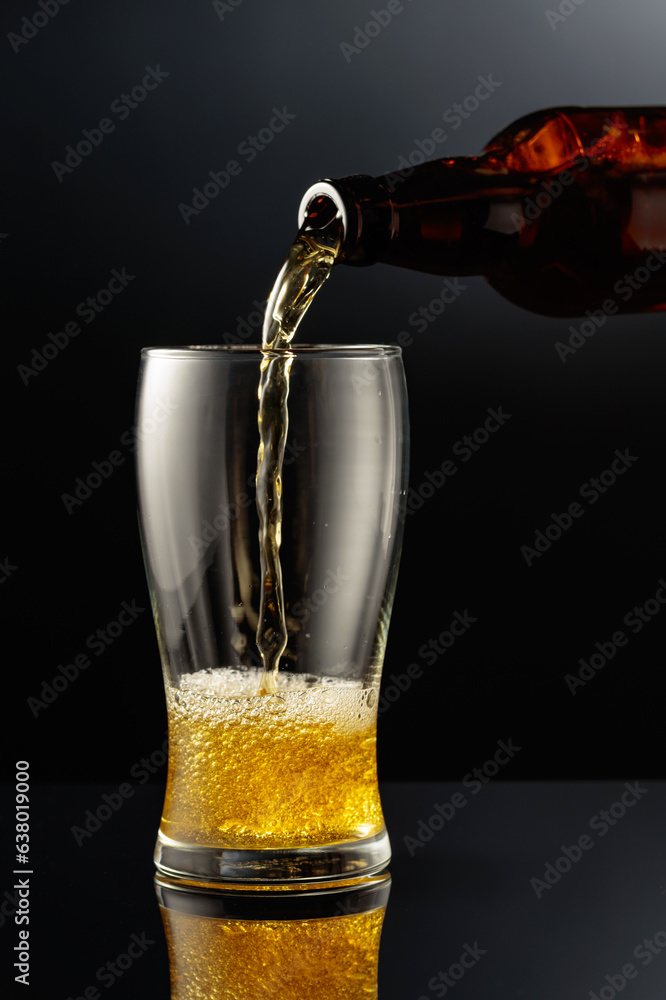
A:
(503, 890)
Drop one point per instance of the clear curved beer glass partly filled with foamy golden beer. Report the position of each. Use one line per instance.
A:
(283, 785)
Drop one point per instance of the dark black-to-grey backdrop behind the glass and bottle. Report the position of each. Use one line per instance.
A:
(70, 572)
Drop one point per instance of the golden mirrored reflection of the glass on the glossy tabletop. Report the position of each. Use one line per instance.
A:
(288, 944)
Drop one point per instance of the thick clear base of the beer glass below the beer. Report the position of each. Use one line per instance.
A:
(350, 859)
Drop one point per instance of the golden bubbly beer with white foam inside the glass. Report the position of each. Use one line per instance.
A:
(295, 769)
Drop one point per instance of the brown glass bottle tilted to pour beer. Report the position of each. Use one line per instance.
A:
(565, 211)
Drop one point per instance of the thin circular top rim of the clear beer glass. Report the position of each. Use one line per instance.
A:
(208, 351)
